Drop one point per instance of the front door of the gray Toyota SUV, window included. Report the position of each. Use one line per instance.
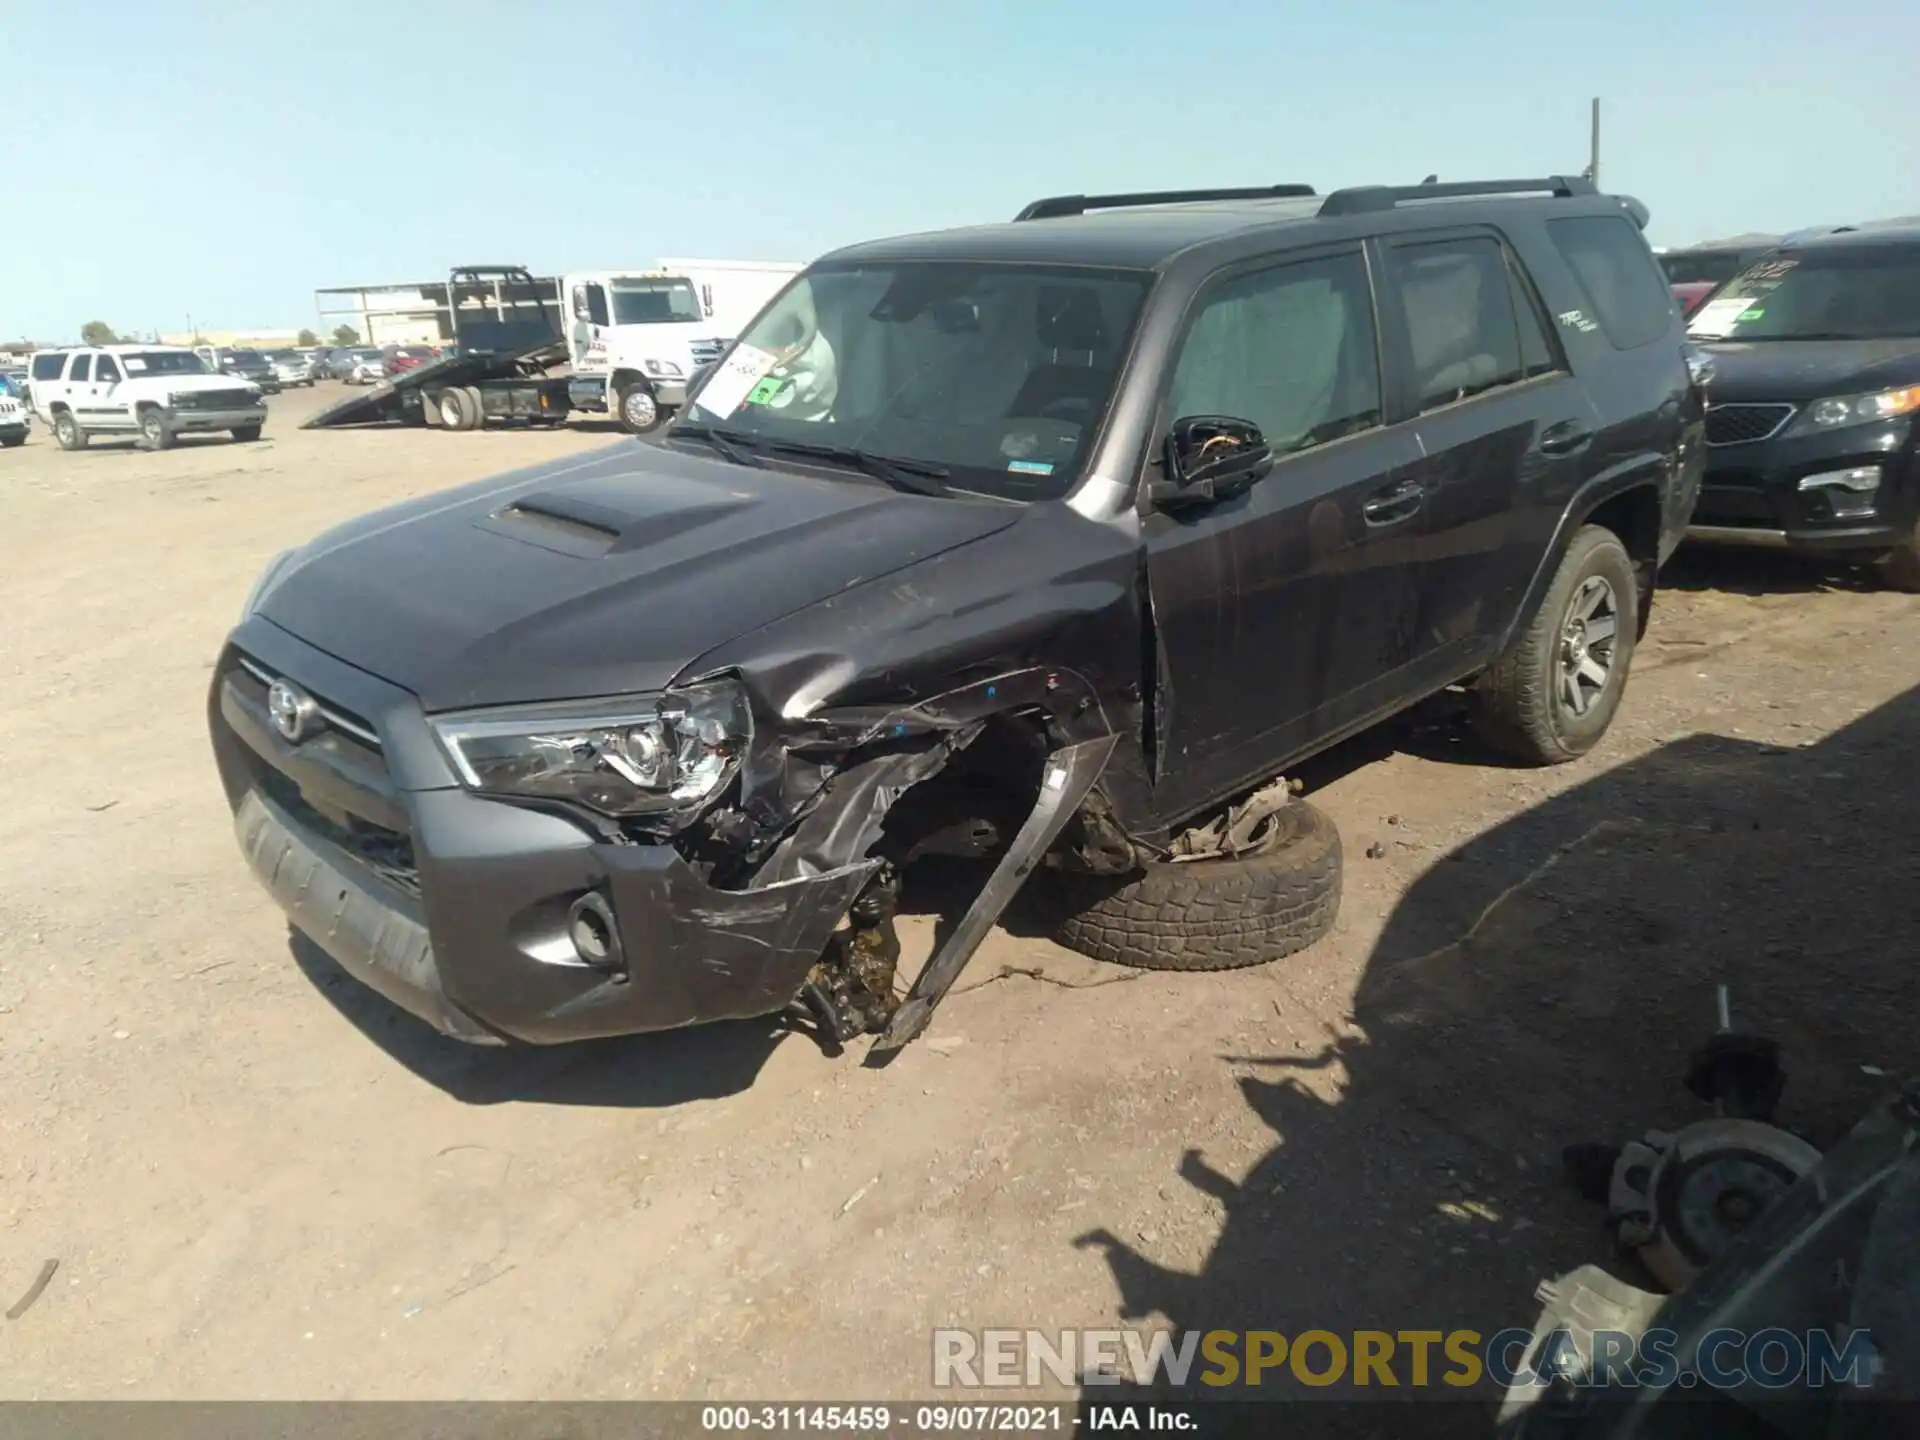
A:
(1284, 615)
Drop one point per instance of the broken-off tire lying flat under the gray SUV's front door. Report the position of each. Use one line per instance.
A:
(1211, 915)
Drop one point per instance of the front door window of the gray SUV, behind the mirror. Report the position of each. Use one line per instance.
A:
(1291, 348)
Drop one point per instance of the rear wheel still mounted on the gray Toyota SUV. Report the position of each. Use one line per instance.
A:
(1522, 706)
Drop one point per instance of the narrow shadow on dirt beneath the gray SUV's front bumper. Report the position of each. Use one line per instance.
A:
(638, 1072)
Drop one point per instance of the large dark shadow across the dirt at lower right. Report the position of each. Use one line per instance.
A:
(1539, 988)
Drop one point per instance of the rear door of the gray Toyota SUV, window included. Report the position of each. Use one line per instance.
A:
(1504, 433)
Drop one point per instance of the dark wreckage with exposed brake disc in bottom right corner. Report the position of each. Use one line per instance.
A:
(1765, 1241)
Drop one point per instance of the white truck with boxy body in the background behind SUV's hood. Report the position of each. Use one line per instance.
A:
(636, 337)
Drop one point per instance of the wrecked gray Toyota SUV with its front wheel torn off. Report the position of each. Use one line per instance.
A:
(1053, 542)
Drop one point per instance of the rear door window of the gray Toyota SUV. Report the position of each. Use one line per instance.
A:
(1462, 325)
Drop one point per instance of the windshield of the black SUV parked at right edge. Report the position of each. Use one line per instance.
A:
(1836, 295)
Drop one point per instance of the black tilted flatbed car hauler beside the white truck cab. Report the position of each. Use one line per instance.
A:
(508, 339)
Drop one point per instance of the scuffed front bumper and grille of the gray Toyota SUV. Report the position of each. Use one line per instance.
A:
(454, 905)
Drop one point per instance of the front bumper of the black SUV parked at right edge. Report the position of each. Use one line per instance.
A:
(1752, 492)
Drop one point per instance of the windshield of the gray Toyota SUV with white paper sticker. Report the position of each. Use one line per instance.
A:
(1001, 375)
